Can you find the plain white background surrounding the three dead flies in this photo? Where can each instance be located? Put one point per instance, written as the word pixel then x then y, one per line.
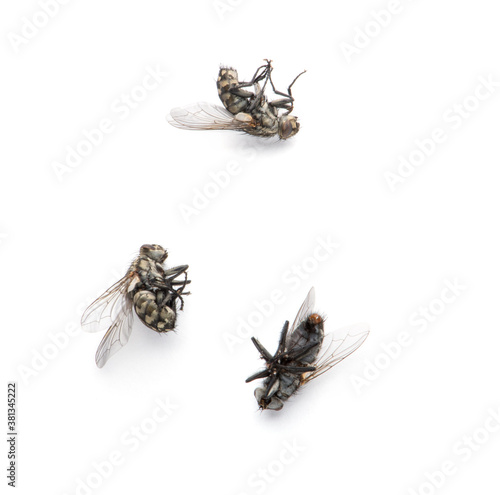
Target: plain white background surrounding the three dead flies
pixel 63 242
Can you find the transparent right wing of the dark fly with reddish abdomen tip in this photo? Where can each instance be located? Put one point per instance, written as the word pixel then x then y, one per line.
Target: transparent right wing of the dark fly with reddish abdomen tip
pixel 337 347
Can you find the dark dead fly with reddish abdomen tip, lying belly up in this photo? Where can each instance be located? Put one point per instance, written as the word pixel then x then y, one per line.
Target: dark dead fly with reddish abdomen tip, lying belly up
pixel 298 360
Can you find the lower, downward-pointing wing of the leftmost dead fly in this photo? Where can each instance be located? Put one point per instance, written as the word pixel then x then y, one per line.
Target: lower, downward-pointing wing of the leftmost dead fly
pixel 117 335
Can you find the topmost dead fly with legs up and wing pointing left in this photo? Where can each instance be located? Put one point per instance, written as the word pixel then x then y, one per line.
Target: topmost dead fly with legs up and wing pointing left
pixel 244 110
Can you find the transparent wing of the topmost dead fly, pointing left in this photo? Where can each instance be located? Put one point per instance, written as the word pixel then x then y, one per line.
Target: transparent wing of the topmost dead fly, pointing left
pixel 205 116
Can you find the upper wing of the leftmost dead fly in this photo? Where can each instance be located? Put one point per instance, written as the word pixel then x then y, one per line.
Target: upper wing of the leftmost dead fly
pixel 106 308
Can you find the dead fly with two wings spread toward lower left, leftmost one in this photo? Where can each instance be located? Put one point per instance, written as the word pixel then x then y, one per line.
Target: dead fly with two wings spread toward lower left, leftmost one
pixel 149 288
